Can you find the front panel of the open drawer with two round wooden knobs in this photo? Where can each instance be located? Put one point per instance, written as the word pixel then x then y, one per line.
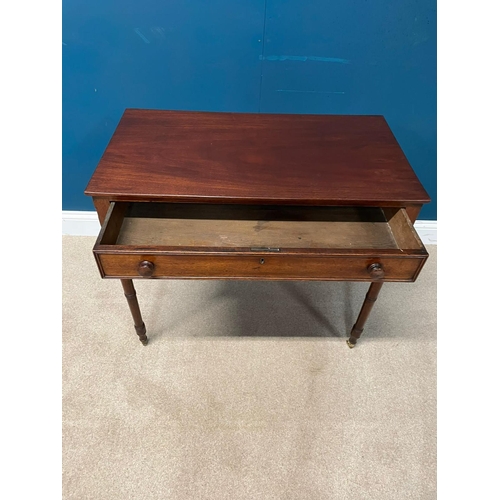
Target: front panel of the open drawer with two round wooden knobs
pixel 261 267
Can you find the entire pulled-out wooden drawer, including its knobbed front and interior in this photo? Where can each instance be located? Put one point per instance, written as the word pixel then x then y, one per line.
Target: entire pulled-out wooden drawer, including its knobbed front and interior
pixel 168 240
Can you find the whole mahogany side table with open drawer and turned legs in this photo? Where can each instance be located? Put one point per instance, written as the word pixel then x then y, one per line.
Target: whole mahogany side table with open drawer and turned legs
pixel 198 195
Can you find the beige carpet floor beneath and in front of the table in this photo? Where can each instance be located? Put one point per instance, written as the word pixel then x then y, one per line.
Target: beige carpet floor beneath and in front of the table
pixel 246 390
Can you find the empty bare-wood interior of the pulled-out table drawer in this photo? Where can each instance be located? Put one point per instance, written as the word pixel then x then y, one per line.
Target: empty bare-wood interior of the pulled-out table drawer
pixel 258 227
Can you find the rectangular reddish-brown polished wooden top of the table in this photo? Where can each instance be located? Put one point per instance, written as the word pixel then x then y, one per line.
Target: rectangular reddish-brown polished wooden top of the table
pixel 255 158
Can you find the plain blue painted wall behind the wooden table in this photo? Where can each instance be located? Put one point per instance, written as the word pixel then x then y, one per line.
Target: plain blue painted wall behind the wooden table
pixel 275 56
